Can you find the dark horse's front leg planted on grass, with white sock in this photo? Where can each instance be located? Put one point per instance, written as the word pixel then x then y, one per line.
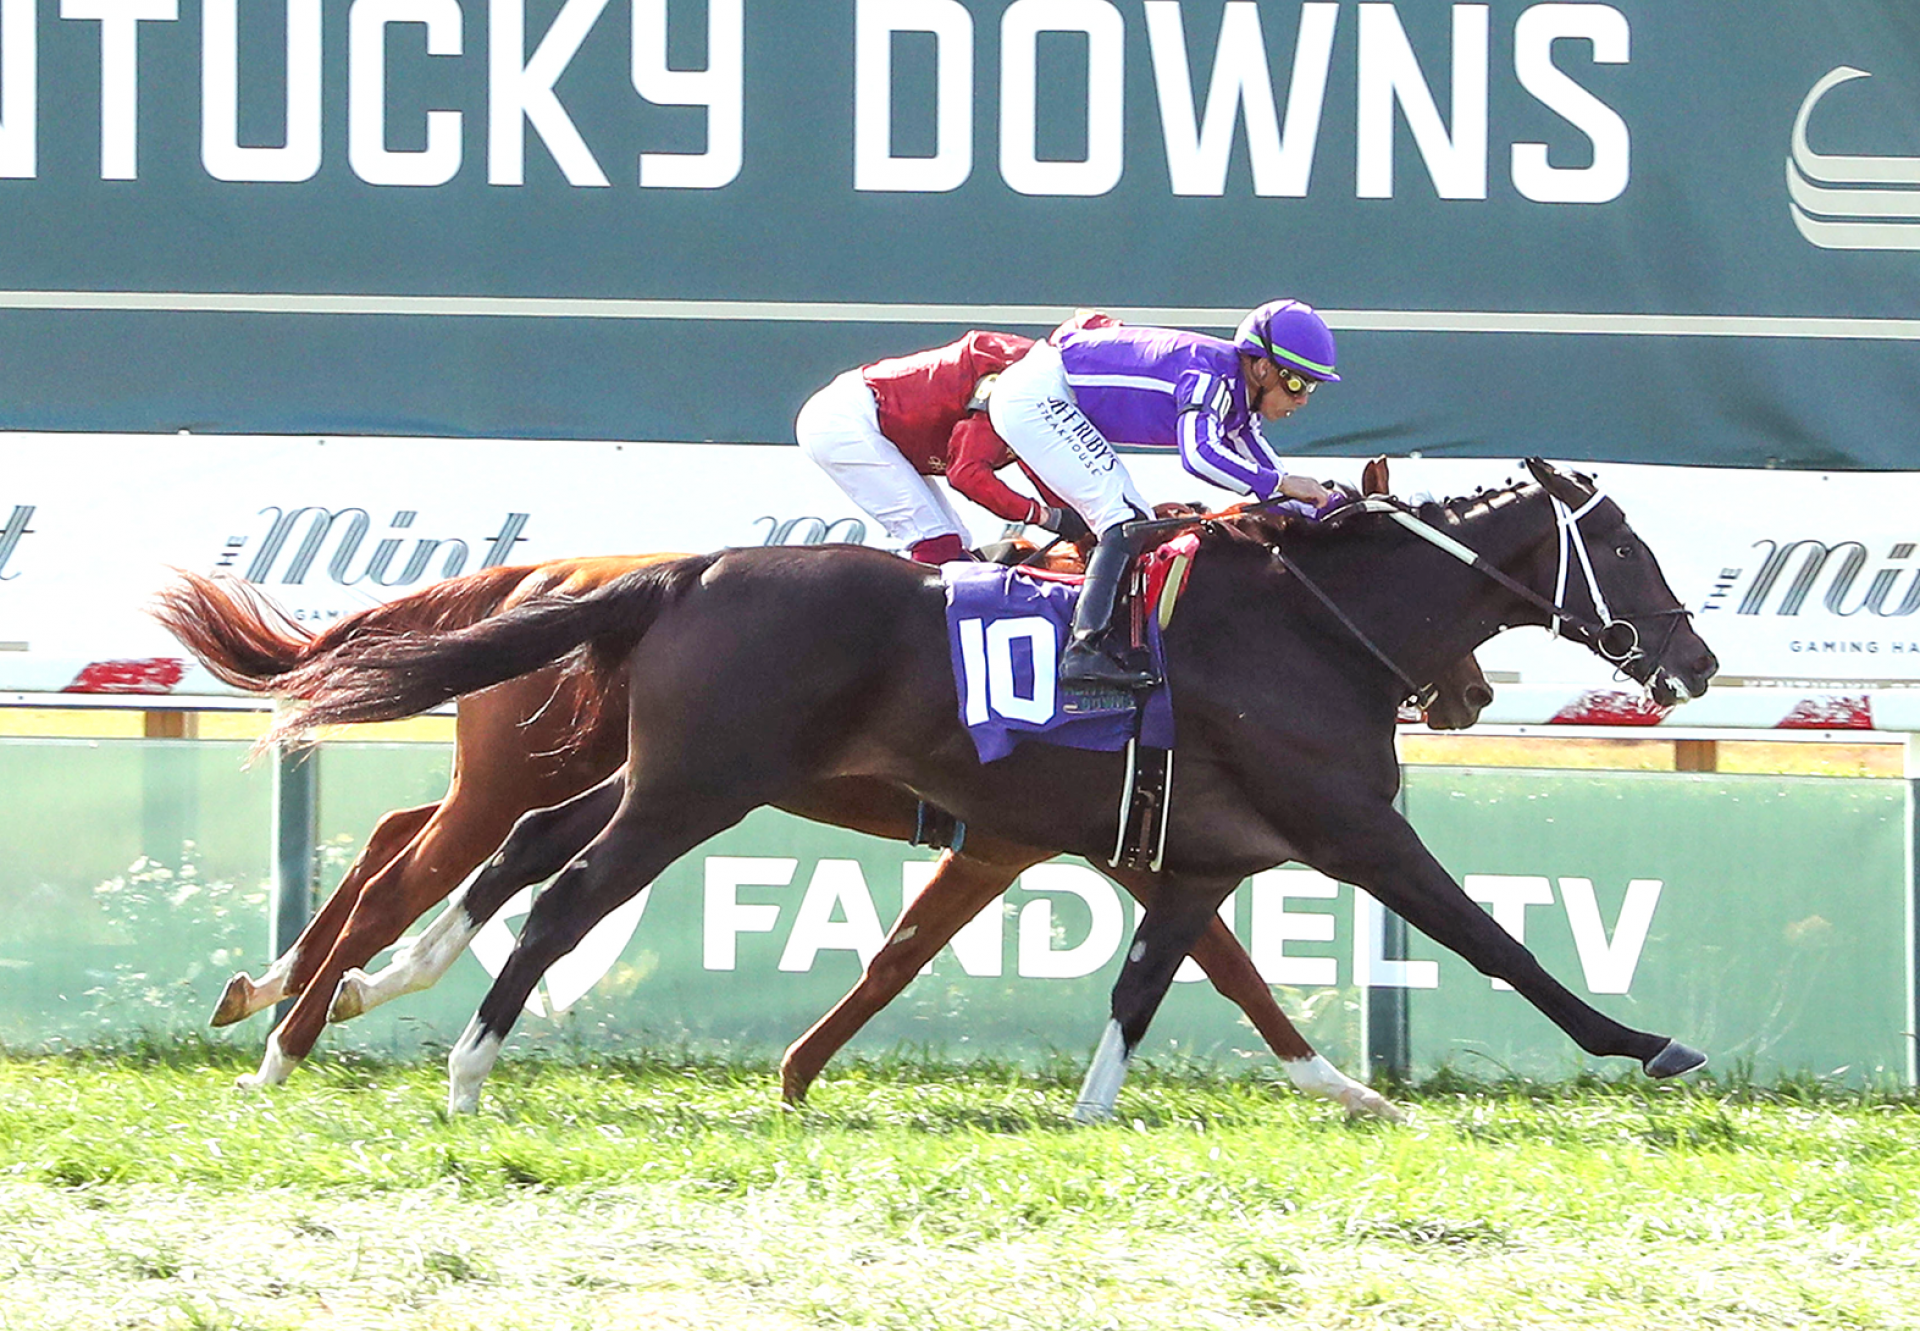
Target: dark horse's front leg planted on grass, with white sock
pixel 1178 915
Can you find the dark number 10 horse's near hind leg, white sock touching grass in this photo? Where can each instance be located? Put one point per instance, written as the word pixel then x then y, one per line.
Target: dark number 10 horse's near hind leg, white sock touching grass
pixel 648 835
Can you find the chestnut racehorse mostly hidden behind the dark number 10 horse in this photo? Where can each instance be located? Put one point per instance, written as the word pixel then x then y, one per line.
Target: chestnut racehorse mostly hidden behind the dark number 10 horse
pixel 546 737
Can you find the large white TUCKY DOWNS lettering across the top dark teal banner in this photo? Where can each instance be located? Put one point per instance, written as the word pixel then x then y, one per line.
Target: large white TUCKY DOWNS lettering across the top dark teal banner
pixel 544 78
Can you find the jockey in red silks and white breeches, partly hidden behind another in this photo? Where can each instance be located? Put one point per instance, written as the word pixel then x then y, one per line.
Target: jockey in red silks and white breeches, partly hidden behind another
pixel 886 429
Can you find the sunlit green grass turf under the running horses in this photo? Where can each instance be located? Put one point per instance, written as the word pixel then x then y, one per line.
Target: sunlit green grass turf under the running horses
pixel 143 1192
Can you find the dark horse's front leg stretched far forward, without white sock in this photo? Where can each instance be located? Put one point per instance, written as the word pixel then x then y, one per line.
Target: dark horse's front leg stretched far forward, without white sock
pixel 1378 852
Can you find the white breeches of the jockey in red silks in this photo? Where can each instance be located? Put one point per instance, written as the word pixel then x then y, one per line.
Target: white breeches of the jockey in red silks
pixel 840 429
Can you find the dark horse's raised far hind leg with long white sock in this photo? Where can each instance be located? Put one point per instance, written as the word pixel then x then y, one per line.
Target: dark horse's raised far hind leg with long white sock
pixel 539 848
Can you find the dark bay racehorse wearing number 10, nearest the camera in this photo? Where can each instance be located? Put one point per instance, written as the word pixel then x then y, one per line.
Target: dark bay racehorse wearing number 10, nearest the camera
pixel 1287 667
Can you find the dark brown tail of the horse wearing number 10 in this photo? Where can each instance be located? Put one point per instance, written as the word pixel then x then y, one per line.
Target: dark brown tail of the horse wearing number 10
pixel 391 675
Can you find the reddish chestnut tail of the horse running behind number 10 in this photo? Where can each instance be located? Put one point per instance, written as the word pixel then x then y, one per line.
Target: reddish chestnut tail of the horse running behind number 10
pixel 249 642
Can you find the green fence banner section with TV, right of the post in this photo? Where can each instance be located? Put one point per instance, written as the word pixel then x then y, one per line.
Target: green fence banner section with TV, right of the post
pixel 1773 915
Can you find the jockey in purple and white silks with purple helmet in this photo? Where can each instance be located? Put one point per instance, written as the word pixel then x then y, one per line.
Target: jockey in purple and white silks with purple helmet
pixel 1063 408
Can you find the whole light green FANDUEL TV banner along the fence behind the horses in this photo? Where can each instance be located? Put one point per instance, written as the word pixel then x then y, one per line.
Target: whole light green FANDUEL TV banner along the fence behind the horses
pixel 1762 919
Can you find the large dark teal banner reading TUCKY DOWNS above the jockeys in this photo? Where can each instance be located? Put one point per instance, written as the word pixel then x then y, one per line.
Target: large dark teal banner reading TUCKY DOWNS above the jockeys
pixel 1637 231
